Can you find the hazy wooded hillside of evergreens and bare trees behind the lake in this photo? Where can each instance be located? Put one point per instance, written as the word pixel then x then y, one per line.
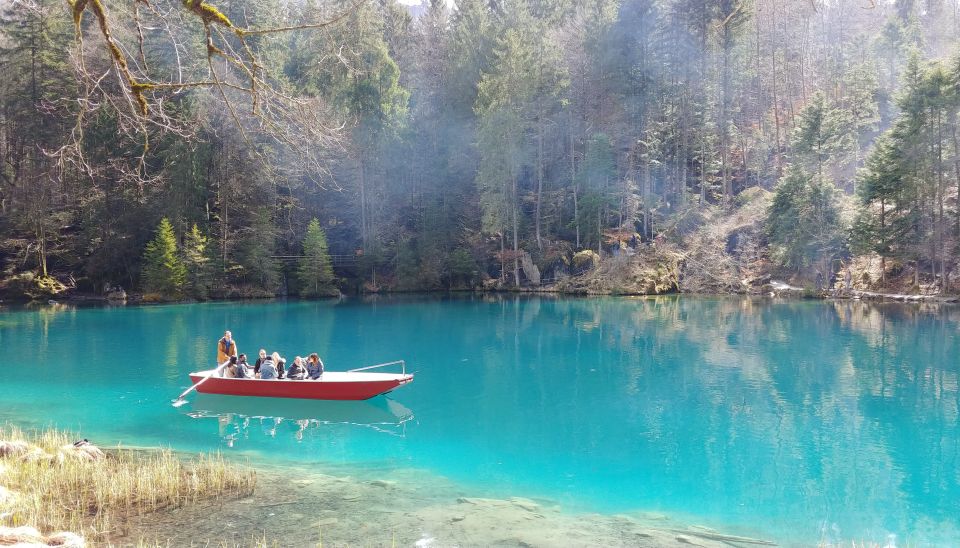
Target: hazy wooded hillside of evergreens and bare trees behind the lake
pixel 227 149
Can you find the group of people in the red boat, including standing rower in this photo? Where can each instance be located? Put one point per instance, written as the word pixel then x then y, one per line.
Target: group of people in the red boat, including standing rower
pixel 268 366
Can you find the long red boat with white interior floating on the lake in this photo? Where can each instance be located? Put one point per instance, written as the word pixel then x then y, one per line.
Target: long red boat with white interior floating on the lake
pixel 356 384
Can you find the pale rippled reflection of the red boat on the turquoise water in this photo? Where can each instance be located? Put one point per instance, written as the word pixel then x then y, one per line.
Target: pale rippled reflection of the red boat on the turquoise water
pixel 237 416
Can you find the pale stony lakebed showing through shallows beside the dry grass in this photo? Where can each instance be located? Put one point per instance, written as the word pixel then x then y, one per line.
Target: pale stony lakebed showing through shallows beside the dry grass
pixel 416 508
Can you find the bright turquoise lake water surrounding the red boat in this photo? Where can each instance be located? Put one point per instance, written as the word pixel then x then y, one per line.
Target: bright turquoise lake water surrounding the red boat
pixel 802 421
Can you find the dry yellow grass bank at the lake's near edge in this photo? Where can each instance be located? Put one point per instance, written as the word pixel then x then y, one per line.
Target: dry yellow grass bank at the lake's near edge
pixel 50 484
